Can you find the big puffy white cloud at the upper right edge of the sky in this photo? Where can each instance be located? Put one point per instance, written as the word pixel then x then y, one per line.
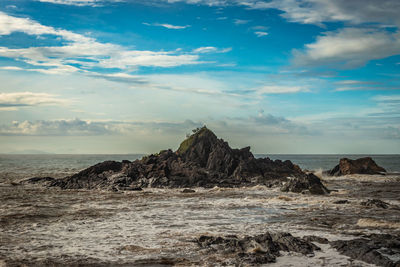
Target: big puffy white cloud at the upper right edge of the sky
pixel 349 47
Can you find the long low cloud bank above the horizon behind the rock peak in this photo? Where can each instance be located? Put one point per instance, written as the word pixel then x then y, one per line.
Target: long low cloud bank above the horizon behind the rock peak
pixel 266 123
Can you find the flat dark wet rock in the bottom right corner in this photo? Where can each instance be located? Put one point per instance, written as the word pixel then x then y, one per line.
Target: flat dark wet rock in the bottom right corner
pixel 378 249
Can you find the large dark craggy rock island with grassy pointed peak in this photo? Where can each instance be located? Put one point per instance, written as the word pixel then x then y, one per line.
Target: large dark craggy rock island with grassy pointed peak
pixel 202 160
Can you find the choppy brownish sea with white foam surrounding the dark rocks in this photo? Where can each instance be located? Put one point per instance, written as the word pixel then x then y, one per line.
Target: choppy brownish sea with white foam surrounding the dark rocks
pixel 42 226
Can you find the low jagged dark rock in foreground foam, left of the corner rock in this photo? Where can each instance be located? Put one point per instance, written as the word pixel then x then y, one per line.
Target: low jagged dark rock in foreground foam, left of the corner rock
pixel 258 249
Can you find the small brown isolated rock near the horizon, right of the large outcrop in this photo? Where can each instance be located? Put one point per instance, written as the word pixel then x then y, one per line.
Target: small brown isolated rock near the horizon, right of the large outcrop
pixel 359 166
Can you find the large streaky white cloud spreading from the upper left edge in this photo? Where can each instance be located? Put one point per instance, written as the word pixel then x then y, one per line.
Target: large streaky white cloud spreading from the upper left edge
pixel 82 50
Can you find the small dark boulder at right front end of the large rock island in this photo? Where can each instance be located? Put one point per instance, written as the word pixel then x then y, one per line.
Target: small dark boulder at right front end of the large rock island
pixel 304 183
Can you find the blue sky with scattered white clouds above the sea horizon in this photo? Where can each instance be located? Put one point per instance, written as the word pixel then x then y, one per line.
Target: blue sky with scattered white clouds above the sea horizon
pixel 135 76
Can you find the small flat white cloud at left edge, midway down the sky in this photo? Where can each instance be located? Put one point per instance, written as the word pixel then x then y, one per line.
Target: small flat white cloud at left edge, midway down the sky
pixel 24 99
